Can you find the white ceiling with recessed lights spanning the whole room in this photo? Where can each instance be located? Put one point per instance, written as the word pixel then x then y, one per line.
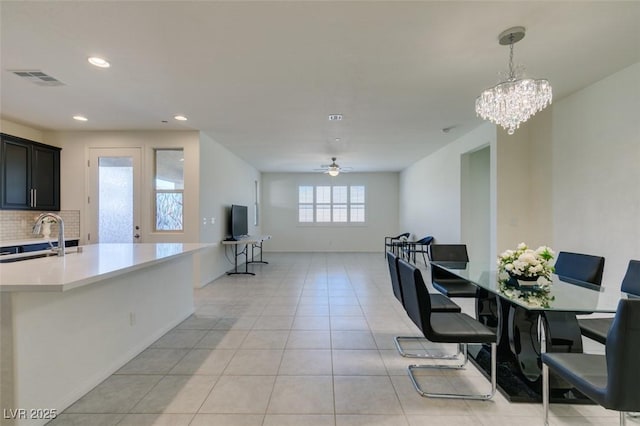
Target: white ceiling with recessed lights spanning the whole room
pixel 262 77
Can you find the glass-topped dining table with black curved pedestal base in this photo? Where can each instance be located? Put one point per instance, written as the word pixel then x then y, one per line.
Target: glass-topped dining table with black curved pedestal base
pixel 529 321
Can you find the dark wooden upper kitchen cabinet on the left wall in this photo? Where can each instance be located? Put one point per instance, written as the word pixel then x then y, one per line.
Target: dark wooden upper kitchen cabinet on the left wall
pixel 29 175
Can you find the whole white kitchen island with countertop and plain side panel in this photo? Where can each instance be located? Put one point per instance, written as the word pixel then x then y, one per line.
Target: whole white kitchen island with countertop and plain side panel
pixel 67 323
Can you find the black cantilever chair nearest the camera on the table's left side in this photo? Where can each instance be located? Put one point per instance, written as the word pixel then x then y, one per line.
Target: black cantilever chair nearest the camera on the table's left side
pixel 443 327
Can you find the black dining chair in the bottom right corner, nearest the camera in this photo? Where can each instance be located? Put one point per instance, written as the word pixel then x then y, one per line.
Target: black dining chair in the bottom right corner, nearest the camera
pixel 610 380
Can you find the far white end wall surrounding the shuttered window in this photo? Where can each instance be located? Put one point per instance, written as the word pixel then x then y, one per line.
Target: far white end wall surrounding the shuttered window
pixel 280 213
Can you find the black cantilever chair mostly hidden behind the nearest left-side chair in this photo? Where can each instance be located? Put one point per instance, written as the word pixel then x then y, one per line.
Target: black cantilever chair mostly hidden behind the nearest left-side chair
pixel 439 303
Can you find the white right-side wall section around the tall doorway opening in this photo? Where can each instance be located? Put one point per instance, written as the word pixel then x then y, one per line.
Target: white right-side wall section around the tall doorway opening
pixel 430 189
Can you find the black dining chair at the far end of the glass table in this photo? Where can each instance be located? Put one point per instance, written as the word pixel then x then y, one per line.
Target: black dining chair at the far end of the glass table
pixel 444 281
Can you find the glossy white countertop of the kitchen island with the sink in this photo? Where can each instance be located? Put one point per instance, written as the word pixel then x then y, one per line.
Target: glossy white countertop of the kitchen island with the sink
pixel 96 262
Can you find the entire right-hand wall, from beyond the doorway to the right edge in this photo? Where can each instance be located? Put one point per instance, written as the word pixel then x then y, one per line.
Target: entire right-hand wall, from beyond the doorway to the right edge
pixel 568 178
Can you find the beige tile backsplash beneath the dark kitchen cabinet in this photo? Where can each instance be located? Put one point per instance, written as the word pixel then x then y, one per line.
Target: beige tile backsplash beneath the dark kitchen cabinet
pixel 17 224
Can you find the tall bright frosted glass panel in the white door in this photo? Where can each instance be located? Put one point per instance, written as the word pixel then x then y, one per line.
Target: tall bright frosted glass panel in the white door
pixel 115 216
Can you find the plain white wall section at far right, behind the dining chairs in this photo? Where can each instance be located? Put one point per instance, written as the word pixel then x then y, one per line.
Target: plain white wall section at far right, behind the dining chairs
pixel 596 171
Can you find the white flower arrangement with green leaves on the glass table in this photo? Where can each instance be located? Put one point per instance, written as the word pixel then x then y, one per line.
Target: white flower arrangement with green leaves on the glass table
pixel 527 263
